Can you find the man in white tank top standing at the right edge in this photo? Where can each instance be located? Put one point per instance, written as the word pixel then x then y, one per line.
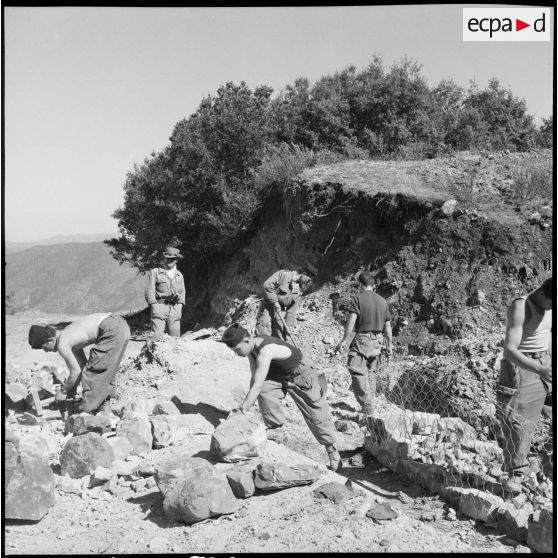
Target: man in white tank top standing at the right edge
pixel 525 382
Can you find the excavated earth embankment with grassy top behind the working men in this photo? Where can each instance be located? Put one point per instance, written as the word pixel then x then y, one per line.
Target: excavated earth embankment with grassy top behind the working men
pixel 448 275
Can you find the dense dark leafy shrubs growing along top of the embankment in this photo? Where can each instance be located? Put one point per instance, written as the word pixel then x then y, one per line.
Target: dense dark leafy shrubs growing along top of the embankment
pixel 203 190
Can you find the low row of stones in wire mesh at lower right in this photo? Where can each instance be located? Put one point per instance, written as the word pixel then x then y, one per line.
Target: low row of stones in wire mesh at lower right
pixel 443 455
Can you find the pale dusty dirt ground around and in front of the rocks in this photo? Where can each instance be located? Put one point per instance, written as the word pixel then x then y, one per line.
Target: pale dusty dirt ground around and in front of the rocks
pixel 209 381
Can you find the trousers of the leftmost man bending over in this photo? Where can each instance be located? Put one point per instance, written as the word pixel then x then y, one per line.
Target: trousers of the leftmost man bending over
pixel 97 378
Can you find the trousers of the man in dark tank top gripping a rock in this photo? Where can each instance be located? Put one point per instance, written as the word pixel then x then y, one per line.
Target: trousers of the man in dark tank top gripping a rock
pixel 308 395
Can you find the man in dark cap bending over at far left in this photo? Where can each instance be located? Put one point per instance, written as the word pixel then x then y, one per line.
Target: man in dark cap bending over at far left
pixel 109 335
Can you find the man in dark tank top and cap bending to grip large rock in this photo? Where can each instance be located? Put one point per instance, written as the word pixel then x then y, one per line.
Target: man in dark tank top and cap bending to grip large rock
pixel 279 368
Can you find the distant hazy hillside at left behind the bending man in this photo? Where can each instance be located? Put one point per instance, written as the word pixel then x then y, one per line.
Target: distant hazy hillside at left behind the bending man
pixel 72 278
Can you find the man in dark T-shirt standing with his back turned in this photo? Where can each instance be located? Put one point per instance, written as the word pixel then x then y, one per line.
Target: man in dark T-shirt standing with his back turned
pixel 370 317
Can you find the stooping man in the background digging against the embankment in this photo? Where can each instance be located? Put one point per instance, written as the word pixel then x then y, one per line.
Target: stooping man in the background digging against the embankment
pixel 282 292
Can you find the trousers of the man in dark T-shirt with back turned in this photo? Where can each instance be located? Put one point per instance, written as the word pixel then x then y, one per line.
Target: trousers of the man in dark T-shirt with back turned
pixel 363 361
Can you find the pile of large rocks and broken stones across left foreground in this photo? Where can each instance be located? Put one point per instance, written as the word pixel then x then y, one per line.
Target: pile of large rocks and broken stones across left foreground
pixel 108 454
